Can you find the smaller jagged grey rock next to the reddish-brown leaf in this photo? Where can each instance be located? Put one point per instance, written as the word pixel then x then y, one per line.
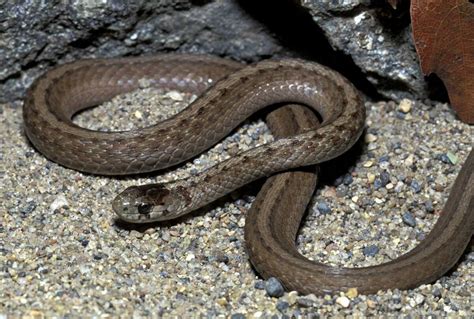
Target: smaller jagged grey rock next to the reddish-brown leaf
pixel 377 38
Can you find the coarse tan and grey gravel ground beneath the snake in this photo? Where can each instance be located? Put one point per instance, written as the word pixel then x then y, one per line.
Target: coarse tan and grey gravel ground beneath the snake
pixel 63 253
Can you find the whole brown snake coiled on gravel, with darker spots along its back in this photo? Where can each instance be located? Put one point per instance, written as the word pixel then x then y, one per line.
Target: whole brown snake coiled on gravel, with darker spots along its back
pixel 230 93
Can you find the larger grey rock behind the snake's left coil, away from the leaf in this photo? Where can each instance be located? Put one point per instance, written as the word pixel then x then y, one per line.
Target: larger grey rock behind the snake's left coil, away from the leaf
pixel 36 35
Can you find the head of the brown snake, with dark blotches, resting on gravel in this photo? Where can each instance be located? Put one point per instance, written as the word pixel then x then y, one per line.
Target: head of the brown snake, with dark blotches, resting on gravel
pixel 149 203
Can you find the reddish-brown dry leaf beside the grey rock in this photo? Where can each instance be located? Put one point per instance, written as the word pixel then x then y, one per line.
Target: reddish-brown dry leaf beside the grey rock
pixel 444 38
